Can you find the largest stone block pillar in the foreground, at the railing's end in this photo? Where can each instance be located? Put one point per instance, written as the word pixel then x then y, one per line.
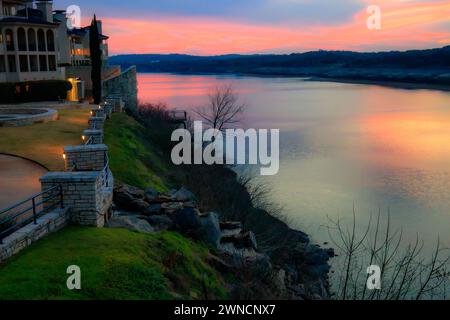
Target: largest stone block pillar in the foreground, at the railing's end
pixel 84 193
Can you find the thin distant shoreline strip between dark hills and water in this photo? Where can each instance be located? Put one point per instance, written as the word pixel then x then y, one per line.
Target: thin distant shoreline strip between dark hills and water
pixel 383 83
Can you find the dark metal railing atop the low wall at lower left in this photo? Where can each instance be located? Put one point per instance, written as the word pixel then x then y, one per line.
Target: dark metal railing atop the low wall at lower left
pixel 29 210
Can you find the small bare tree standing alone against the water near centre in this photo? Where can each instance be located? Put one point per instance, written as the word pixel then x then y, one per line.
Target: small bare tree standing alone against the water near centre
pixel 223 110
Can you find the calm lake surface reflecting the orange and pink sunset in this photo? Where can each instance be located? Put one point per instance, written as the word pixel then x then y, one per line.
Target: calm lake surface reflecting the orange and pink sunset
pixel 342 146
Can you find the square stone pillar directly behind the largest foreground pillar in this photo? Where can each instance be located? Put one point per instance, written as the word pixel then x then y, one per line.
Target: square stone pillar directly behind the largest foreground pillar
pixel 86 157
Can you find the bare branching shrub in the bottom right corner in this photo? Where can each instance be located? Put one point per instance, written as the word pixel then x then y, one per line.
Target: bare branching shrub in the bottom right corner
pixel 406 274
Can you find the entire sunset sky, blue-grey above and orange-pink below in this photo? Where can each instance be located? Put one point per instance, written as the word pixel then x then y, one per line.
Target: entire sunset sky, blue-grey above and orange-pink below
pixel 210 27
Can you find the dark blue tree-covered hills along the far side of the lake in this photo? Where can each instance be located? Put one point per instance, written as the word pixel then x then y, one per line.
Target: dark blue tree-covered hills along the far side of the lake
pixel 429 66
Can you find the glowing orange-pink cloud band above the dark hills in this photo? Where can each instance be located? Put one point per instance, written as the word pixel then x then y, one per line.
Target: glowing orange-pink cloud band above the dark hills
pixel 405 24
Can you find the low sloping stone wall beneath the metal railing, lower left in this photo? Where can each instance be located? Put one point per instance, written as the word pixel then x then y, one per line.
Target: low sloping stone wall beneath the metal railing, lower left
pixel 31 233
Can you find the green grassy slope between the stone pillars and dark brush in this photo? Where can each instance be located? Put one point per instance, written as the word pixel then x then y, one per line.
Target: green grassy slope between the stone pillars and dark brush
pixel 133 157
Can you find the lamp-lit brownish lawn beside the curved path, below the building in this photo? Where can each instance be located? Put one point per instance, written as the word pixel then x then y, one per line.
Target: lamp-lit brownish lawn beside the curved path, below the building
pixel 44 142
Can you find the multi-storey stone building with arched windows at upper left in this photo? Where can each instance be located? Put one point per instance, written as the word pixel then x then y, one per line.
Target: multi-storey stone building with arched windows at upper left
pixel 36 44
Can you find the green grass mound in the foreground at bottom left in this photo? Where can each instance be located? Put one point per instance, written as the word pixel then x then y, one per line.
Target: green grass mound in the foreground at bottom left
pixel 115 264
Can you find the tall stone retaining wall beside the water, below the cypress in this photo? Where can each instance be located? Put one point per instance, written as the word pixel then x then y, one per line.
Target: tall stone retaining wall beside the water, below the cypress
pixel 125 85
